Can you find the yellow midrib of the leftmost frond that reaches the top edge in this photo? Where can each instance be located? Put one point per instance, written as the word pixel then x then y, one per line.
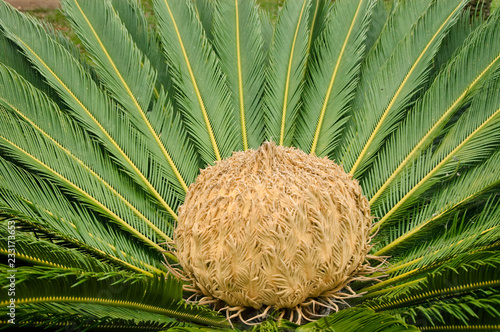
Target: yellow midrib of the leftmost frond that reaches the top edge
pixel 136 104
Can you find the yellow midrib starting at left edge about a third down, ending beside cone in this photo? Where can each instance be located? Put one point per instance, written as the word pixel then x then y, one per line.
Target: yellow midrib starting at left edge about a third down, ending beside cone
pixel 94 174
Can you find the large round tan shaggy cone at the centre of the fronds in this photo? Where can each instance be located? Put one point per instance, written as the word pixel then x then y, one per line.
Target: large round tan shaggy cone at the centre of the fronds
pixel 272 227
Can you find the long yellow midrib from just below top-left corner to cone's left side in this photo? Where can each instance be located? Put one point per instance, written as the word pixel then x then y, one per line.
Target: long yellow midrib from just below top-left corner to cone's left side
pixel 103 130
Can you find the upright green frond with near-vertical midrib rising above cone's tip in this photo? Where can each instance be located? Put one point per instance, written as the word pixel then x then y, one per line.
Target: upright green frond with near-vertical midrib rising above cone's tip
pixel 238 42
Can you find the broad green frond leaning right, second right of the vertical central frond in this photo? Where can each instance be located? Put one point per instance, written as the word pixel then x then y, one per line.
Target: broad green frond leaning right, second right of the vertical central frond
pixel 332 76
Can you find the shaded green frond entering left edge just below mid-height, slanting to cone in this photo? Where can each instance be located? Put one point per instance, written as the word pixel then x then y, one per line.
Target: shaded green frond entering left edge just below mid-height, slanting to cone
pixel 32 201
